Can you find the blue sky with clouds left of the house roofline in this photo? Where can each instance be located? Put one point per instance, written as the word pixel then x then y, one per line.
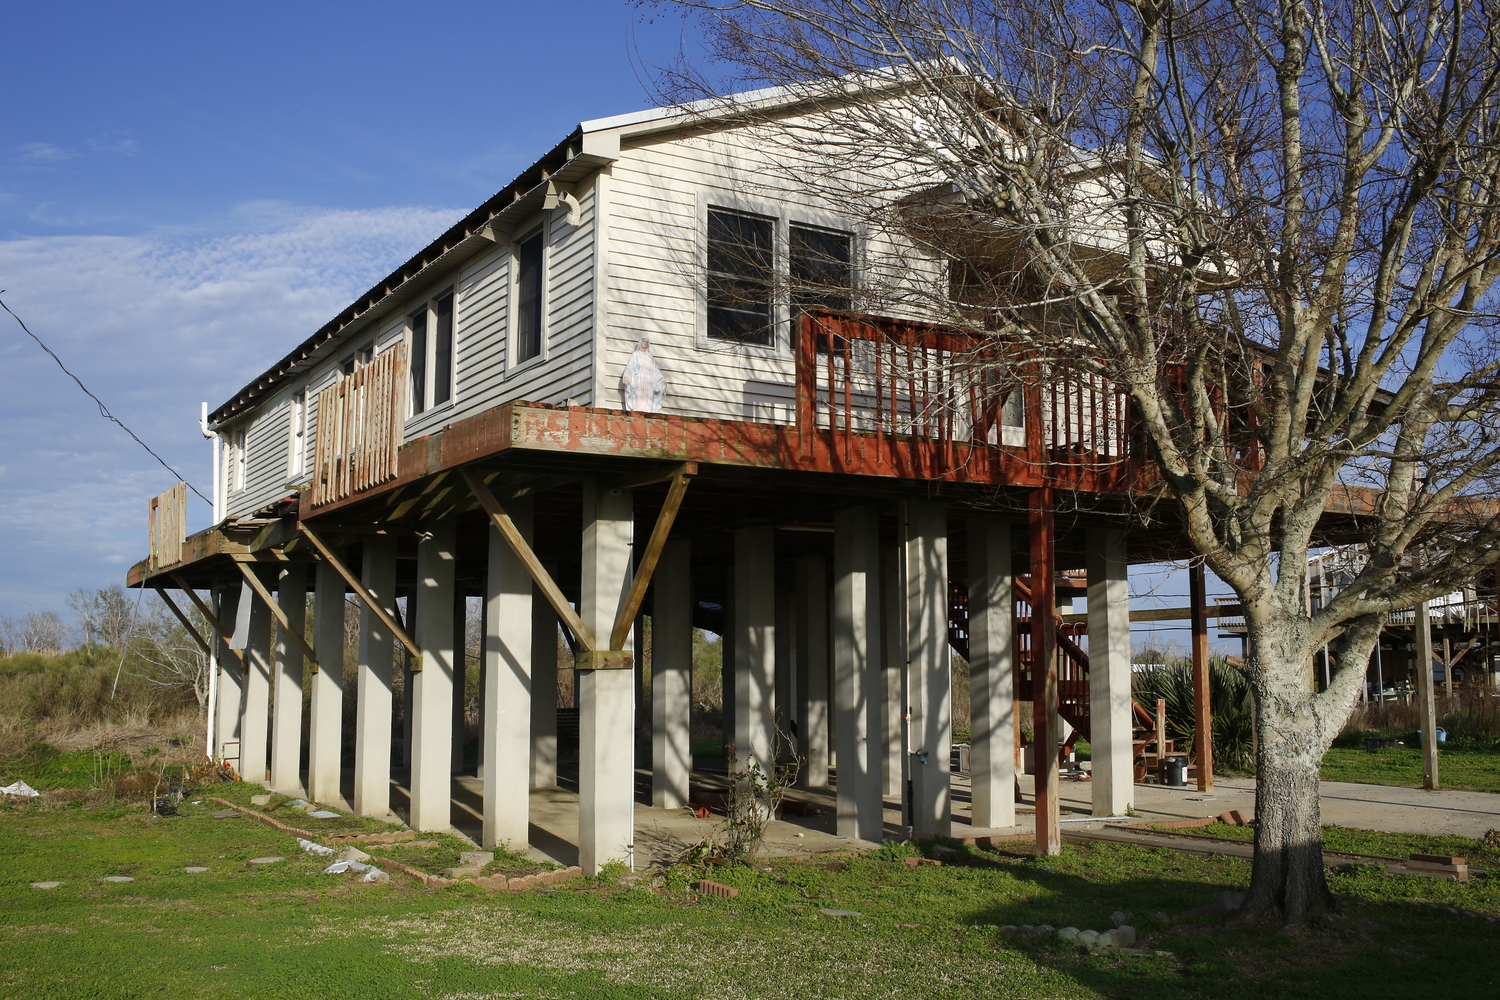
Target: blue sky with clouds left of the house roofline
pixel 187 191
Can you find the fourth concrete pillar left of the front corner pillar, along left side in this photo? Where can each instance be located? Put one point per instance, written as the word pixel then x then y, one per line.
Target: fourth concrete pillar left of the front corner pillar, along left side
pixel 326 705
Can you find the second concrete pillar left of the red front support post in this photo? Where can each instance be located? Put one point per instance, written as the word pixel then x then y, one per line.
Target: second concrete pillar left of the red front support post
pixel 929 672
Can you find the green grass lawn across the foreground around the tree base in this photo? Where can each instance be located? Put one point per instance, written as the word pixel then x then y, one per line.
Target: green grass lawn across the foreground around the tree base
pixel 286 930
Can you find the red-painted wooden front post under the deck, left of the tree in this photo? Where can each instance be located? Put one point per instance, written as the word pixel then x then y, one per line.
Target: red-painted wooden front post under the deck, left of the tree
pixel 1045 671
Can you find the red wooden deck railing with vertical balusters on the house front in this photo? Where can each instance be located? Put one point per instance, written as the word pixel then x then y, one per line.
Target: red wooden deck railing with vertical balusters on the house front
pixel 956 406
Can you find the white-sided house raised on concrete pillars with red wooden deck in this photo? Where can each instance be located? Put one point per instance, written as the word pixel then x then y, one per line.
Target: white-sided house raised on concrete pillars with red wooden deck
pixel 827 490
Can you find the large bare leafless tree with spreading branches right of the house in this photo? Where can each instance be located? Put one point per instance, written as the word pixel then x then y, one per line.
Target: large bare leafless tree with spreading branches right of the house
pixel 1273 224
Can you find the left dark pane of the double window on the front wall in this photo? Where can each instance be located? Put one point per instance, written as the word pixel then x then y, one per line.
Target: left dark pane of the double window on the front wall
pixel 742 263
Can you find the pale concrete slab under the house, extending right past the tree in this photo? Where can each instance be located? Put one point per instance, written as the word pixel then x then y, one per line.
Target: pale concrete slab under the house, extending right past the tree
pixel 667 833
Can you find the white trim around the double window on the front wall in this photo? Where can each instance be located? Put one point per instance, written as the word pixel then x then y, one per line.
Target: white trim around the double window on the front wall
pixel 784 217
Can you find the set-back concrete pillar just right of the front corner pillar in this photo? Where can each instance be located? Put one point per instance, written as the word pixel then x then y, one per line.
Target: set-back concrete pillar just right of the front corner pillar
pixel 673 677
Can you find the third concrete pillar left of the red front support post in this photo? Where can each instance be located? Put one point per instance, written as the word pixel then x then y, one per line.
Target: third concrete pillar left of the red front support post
pixel 857 671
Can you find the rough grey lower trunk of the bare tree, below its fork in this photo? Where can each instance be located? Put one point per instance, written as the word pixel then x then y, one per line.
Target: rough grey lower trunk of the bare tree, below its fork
pixel 1288 882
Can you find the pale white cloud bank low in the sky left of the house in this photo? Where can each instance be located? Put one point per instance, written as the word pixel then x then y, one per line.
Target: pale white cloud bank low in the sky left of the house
pixel 154 325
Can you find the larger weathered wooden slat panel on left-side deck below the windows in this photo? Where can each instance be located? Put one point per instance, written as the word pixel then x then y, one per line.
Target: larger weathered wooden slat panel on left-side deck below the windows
pixel 359 428
